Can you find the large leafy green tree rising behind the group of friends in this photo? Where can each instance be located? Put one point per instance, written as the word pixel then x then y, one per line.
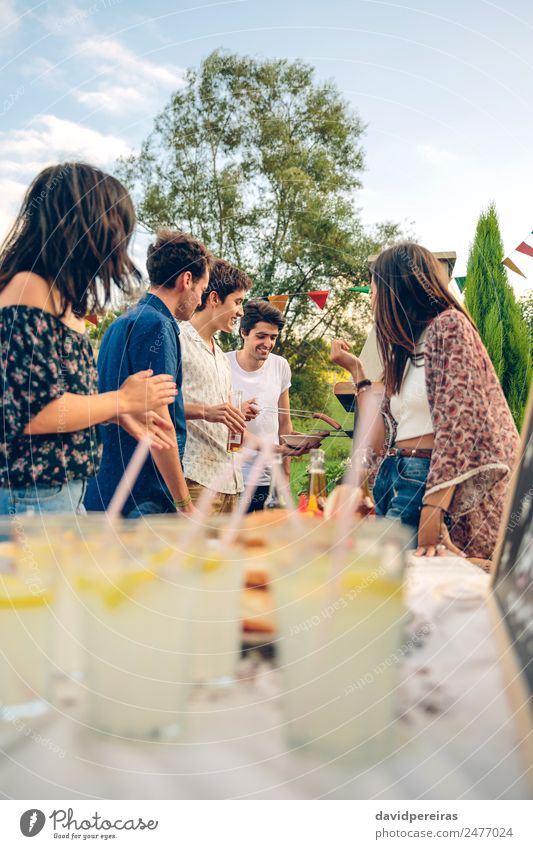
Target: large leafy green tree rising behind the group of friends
pixel 263 164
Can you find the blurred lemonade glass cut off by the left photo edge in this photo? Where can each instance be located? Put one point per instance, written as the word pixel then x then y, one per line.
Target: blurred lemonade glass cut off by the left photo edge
pixel 25 627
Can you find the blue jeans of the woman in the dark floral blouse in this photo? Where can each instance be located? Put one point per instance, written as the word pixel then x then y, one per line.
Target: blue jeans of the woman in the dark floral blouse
pixel 67 498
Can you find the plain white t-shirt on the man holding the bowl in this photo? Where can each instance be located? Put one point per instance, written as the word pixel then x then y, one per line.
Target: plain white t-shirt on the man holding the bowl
pixel 265 384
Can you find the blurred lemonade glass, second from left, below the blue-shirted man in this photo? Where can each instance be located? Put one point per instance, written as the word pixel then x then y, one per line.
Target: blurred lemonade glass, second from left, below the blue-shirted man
pixel 136 636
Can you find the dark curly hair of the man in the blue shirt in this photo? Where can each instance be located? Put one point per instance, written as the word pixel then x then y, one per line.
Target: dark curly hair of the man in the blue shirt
pixel 171 254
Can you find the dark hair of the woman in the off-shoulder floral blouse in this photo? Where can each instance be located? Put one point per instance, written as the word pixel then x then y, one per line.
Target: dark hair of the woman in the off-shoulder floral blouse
pixel 73 229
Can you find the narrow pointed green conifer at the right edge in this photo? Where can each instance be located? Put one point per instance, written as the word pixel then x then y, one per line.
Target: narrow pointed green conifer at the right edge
pixel 493 306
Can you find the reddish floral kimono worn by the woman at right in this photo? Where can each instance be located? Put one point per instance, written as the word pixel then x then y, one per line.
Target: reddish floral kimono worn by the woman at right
pixel 475 439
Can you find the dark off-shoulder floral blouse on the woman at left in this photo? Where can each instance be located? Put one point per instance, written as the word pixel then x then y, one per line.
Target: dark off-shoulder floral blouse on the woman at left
pixel 41 359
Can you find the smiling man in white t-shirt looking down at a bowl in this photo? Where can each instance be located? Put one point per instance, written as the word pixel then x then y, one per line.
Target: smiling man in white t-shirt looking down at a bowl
pixel 266 377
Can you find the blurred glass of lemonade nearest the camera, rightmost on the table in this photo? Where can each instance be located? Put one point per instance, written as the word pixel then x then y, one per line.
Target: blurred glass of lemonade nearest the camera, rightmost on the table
pixel 340 619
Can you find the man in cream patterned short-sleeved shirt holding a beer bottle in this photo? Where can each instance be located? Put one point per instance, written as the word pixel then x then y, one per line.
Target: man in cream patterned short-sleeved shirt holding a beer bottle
pixel 207 387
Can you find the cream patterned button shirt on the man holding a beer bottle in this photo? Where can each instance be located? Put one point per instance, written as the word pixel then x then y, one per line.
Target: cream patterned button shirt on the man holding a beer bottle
pixel 207 380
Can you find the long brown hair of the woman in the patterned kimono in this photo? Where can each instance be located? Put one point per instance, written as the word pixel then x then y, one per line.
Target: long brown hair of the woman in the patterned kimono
pixel 411 289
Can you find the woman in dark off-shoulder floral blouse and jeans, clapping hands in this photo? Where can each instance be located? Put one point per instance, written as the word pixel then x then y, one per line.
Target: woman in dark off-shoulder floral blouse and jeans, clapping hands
pixel 65 254
